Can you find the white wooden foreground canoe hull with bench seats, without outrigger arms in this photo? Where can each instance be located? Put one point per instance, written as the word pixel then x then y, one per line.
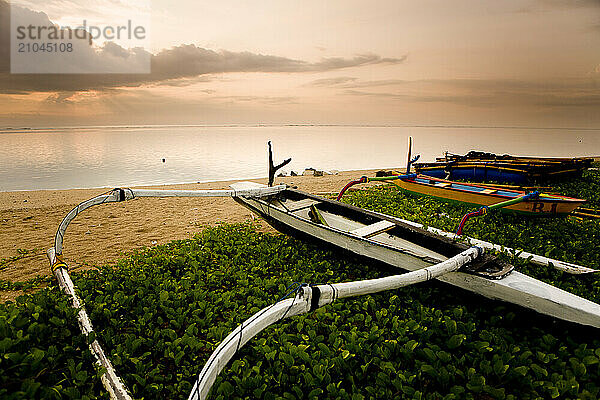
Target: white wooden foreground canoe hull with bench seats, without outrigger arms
pixel 400 244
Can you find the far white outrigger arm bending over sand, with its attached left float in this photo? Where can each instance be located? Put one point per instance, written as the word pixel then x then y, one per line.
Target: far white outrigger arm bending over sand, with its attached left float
pixel 110 379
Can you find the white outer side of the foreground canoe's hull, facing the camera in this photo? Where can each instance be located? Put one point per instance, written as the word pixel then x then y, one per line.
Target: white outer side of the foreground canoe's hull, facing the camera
pixel 516 288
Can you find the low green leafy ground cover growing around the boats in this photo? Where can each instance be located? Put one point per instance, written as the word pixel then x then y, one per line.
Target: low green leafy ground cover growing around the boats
pixel 161 312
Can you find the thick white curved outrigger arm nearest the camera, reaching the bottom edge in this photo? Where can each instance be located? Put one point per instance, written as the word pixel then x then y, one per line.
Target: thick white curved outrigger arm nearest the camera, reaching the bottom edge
pixel 309 298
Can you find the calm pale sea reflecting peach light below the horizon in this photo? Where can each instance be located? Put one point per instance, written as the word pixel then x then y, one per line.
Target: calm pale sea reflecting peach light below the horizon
pixel 90 157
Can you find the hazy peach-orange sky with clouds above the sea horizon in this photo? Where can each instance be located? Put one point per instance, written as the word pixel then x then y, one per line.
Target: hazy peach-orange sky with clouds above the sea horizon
pixel 529 63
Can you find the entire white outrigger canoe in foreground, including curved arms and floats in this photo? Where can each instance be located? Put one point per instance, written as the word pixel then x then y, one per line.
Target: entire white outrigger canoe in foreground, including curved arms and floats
pixel 427 253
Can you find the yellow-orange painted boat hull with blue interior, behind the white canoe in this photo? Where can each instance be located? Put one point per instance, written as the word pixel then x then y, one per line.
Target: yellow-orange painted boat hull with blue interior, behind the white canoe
pixel 542 205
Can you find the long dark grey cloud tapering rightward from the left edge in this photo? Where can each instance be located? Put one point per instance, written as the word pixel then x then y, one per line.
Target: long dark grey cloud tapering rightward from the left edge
pixel 175 66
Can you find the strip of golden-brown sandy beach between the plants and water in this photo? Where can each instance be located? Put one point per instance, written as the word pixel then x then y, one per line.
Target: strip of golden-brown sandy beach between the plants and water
pixel 103 234
